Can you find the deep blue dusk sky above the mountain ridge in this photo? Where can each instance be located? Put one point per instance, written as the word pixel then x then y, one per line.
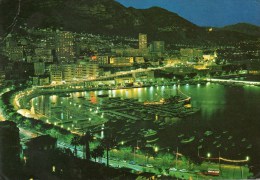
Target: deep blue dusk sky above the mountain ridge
pixel 206 12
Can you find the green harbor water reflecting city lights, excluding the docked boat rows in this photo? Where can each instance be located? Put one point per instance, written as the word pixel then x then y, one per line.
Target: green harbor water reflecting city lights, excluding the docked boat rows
pixel 227 123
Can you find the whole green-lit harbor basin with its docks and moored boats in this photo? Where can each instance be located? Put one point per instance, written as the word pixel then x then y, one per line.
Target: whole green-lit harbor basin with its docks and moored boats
pixel 203 126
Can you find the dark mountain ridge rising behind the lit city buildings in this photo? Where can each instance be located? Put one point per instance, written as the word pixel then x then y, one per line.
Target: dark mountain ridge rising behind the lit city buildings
pixel 111 18
